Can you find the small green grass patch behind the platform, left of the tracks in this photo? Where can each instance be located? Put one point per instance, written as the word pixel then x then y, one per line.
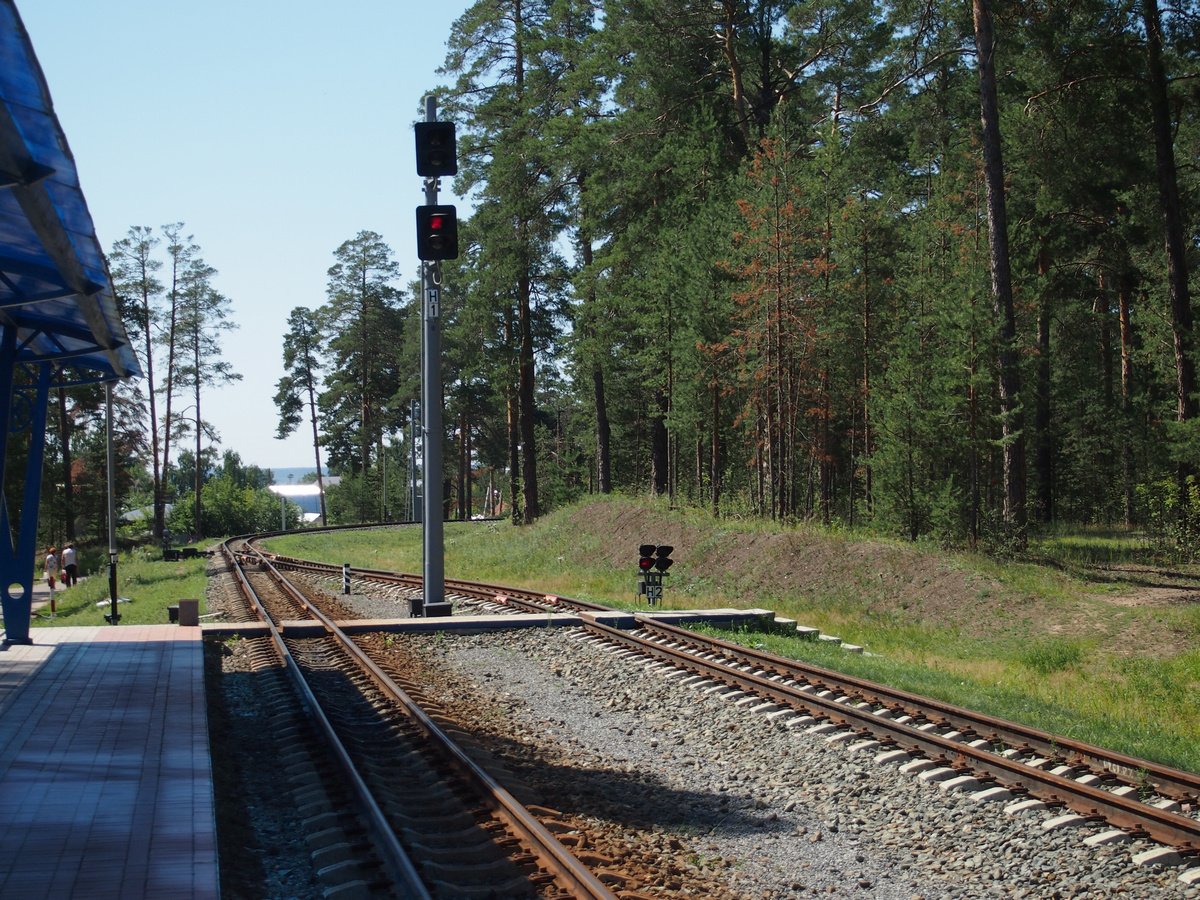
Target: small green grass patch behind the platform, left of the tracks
pixel 142 578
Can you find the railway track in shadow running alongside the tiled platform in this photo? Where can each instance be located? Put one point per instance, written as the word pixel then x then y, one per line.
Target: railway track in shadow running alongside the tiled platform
pixel 439 826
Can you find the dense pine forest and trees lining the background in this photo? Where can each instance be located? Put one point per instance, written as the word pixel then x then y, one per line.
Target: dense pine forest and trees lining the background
pixel 919 267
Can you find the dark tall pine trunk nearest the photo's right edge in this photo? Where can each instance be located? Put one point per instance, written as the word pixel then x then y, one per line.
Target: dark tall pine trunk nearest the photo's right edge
pixel 1173 230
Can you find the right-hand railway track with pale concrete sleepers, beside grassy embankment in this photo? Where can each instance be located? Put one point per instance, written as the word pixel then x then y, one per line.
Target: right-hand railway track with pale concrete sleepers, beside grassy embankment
pixel 985 757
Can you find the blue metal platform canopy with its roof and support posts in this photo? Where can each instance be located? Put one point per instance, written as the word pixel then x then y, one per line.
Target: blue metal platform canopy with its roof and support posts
pixel 58 311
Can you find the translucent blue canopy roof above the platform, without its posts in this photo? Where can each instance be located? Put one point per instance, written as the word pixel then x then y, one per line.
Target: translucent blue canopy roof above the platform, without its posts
pixel 55 285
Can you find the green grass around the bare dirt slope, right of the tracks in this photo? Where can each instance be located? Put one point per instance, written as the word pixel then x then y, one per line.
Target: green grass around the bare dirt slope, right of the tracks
pixel 1102 689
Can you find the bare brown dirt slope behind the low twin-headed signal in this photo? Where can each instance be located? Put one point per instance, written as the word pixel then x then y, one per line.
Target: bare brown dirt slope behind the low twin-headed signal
pixel 806 568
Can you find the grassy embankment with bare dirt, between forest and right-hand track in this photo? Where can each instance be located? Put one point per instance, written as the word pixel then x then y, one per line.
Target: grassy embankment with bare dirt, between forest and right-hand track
pixel 1090 643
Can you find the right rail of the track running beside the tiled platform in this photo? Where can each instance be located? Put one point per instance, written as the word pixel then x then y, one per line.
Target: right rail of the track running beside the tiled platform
pixel 571 873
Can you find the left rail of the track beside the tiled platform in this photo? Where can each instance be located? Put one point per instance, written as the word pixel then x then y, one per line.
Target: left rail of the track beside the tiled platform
pixel 397 860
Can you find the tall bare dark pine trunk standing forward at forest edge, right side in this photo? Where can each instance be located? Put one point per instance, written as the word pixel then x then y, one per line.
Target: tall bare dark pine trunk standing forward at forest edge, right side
pixel 1012 417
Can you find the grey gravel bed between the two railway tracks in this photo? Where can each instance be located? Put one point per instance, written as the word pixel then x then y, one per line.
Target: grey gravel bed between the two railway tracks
pixel 788 813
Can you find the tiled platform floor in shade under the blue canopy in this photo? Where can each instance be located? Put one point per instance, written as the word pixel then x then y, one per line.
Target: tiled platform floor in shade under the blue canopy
pixel 106 783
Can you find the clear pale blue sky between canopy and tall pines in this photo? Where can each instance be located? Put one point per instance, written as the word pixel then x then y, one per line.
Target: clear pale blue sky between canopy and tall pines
pixel 274 130
